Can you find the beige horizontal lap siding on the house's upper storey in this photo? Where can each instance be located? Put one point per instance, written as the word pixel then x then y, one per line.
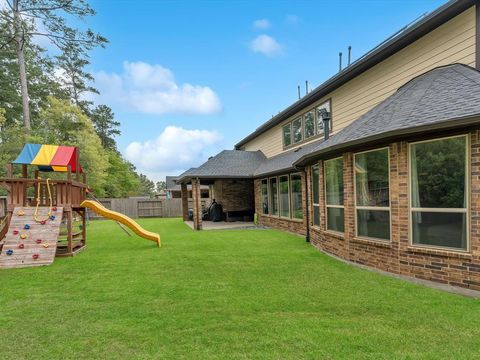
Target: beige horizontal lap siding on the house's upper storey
pixel 453 42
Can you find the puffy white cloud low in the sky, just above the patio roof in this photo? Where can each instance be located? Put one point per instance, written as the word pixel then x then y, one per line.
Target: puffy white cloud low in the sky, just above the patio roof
pixel 175 150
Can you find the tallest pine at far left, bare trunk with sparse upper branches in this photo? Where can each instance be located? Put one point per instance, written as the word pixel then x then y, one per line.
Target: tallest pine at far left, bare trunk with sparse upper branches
pixel 24 19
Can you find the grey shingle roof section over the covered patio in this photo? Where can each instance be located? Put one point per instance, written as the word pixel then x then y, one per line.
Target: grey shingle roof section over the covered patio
pixel 227 164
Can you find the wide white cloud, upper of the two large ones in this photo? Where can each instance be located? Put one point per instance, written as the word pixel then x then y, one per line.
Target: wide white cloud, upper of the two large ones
pixel 152 89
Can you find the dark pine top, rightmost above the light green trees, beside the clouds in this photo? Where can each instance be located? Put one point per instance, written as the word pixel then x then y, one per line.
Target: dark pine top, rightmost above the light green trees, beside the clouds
pixel 106 126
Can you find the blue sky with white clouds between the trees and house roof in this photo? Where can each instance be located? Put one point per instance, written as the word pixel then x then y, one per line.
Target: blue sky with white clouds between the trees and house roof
pixel 189 78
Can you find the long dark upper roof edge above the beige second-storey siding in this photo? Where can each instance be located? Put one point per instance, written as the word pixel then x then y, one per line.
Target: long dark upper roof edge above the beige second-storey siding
pixel 389 47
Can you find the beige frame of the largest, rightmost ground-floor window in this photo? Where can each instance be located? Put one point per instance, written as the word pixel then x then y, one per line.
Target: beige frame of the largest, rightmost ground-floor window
pixel 466 210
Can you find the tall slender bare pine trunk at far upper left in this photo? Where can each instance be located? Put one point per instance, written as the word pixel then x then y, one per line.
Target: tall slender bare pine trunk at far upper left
pixel 19 41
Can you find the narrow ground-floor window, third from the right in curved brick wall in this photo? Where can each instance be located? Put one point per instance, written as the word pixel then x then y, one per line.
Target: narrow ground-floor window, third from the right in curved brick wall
pixel 334 194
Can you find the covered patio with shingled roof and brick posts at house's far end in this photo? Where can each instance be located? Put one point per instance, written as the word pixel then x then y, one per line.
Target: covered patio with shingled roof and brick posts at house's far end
pixel 229 176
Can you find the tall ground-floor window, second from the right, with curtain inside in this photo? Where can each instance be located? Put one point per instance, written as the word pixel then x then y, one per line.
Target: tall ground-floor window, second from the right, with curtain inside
pixel 372 199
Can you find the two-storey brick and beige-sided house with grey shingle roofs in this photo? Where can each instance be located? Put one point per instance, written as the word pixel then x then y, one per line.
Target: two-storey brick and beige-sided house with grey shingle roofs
pixel 380 164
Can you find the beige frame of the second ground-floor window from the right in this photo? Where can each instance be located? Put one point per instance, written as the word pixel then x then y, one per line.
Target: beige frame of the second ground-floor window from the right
pixel 373 208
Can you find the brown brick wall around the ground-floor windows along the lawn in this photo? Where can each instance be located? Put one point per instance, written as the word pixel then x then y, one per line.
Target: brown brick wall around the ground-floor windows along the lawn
pixel 397 256
